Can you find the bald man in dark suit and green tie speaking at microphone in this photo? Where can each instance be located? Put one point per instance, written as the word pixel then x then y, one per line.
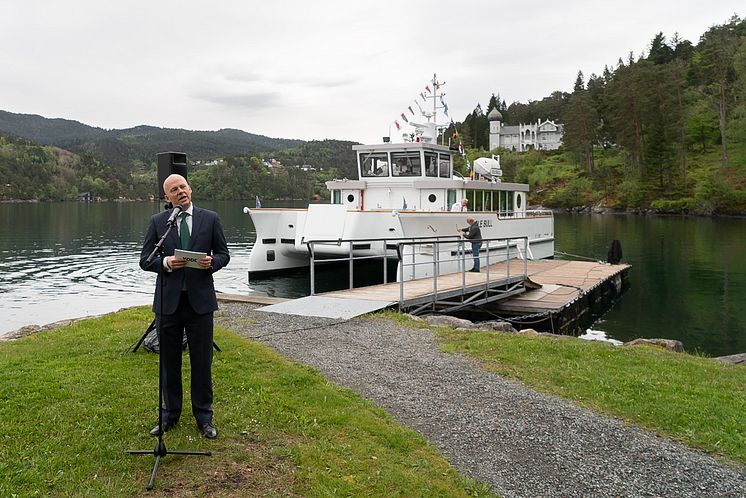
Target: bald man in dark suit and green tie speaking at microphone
pixel 188 301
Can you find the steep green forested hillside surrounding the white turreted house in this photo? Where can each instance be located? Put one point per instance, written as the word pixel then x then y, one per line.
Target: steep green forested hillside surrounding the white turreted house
pixel 665 130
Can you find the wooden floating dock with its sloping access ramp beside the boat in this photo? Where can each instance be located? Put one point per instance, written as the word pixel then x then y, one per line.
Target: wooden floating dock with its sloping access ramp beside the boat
pixel 558 292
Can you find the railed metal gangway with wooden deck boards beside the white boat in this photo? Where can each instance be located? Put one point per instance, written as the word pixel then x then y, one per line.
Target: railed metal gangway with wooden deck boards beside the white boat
pixel 431 272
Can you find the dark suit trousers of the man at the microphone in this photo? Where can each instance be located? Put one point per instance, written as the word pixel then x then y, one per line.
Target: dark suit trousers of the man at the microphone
pixel 199 332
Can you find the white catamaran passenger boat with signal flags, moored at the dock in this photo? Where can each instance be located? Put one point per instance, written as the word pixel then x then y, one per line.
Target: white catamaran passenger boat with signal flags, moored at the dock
pixel 404 192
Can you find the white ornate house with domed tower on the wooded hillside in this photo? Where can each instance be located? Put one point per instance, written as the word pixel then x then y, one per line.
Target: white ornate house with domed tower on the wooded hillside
pixel 546 135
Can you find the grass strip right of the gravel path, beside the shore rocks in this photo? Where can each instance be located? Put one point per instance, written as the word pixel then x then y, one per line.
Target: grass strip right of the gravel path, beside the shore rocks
pixel 695 400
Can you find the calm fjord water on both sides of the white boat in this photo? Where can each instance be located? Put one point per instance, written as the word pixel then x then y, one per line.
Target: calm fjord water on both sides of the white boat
pixel 67 260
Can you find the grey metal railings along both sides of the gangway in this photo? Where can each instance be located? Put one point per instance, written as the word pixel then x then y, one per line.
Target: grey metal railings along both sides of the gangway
pixel 411 256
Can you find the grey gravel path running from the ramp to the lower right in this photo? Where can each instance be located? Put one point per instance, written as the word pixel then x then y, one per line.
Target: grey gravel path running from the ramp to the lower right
pixel 498 431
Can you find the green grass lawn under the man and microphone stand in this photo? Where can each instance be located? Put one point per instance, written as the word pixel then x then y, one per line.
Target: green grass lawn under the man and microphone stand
pixel 72 400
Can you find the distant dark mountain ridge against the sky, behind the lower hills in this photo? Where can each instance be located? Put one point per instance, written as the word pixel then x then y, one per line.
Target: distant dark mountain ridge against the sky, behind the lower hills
pixel 118 147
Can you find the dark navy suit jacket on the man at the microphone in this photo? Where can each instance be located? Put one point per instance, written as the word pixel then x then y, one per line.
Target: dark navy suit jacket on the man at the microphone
pixel 207 237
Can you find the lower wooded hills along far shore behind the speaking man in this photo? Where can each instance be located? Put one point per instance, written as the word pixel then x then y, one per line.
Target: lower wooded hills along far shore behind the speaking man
pixel 31 171
